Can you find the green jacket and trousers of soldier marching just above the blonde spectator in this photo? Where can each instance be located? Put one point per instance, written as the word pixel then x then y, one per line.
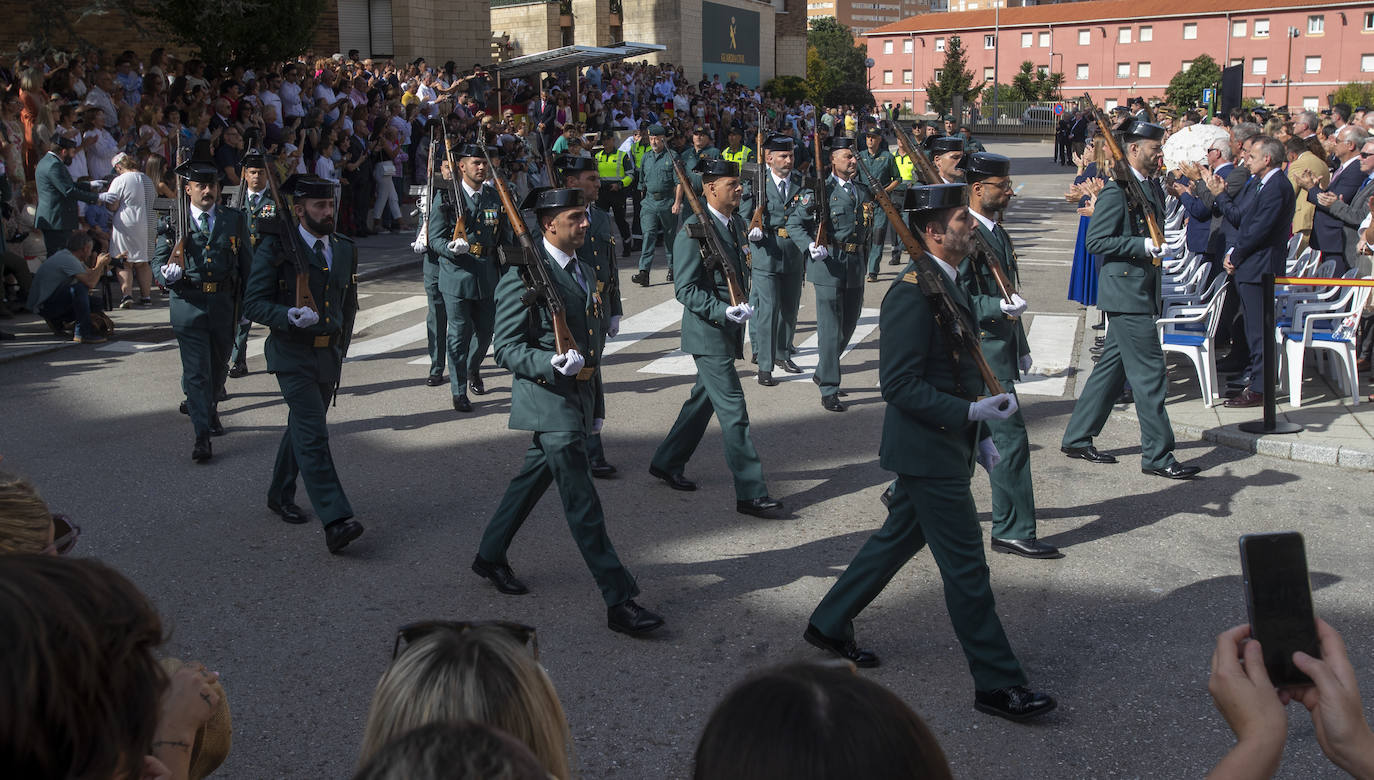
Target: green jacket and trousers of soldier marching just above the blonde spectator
pixel 560 411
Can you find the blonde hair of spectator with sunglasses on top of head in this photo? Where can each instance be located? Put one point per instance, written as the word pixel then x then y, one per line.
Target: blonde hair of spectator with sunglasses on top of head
pixel 482 675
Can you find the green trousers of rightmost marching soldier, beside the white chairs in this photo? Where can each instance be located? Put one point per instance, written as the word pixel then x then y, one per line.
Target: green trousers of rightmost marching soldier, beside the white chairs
pixel 1133 352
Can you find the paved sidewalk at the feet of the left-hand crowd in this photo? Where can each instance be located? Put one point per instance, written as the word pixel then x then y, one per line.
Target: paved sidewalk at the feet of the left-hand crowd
pixel 379 256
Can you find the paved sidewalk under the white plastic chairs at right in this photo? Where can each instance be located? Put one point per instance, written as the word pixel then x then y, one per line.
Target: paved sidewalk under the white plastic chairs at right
pixel 1335 432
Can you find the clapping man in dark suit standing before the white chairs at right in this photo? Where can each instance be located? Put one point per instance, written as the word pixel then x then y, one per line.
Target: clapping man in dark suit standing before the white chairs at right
pixel 1263 216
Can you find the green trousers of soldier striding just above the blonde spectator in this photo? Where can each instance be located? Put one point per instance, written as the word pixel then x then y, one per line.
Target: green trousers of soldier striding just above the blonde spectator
pixel 561 457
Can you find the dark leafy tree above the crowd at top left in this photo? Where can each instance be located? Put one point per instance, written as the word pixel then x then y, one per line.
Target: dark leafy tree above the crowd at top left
pixel 238 32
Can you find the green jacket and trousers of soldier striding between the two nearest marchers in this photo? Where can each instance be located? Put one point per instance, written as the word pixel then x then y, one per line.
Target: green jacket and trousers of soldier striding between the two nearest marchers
pixel 715 344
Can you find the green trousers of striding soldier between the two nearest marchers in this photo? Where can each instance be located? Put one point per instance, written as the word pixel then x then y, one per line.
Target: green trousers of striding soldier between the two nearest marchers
pixel 717 392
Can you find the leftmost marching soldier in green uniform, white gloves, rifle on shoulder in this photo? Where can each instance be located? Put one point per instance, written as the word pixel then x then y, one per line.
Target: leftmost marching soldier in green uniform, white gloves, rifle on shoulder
pixel 204 281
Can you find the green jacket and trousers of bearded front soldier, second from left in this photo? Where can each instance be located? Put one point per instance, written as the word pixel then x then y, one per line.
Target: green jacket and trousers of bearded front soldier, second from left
pixel 307 362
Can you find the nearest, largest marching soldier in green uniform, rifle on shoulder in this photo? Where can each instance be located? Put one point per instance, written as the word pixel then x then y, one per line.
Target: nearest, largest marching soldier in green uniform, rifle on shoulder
pixel 932 436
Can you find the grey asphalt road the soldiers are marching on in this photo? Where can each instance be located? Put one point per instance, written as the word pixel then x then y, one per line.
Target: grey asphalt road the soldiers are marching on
pixel 1120 631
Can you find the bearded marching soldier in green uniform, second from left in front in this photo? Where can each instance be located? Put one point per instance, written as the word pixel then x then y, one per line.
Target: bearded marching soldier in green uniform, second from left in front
pixel 306 349
